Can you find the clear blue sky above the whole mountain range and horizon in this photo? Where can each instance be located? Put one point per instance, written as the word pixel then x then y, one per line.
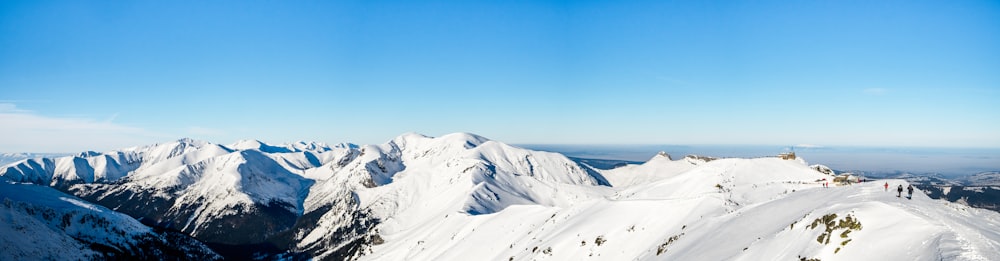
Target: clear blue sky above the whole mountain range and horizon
pixel 78 75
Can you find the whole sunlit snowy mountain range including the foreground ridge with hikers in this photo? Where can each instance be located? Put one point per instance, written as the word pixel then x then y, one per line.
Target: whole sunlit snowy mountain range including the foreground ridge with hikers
pixel 462 196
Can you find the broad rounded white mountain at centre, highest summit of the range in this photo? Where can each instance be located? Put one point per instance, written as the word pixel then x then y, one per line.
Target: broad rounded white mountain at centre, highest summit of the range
pixel 415 180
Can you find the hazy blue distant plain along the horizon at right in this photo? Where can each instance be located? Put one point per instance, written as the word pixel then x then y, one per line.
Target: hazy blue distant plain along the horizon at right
pixel 951 162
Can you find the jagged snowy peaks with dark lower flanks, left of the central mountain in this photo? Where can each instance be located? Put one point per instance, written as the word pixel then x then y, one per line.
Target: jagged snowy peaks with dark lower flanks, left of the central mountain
pixel 231 195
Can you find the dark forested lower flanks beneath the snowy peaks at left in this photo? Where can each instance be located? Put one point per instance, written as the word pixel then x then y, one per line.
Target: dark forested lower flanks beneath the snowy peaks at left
pixel 257 231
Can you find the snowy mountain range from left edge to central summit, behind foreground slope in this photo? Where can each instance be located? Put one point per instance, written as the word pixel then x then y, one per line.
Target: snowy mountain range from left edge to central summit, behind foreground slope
pixel 312 199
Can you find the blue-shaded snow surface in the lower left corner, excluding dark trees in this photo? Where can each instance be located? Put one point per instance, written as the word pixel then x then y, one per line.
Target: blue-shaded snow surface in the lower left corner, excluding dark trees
pixel 41 223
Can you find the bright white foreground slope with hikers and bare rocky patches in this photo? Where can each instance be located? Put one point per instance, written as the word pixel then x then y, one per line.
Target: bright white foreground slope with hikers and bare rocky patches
pixel 726 209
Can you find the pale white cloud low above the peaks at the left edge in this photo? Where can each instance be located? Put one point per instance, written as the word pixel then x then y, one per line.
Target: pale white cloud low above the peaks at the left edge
pixel 27 131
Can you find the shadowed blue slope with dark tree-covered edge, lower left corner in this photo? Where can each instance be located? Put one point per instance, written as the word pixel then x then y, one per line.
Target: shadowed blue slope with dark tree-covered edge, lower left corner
pixel 40 223
